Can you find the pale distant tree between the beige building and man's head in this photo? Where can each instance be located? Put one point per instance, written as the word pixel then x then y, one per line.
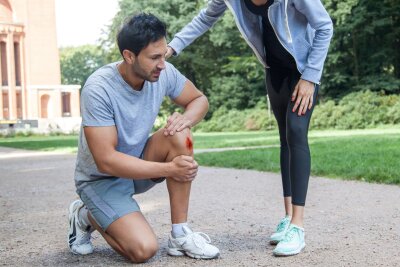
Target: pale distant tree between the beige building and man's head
pixel 78 63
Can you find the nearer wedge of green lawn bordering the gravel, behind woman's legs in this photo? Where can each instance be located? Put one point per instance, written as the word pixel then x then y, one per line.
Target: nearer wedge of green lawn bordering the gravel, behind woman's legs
pixel 372 158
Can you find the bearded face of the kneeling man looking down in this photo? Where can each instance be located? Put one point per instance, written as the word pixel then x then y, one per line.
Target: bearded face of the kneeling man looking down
pixel 150 61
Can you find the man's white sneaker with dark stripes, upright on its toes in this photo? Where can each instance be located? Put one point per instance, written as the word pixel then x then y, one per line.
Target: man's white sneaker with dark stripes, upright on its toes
pixel 78 238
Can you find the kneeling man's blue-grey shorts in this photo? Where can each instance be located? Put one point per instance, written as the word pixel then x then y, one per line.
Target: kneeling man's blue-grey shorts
pixel 111 198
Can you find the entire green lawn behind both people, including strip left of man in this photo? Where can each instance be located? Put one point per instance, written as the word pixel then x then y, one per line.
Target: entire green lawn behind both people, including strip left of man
pixel 369 155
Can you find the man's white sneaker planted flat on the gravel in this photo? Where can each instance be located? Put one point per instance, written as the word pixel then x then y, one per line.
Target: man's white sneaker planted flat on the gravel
pixel 193 244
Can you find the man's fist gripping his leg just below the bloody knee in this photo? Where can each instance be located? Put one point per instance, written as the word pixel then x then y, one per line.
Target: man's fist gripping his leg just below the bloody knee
pixel 184 168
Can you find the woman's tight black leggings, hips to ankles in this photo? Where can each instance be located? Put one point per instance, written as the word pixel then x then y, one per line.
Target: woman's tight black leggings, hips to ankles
pixel 293 129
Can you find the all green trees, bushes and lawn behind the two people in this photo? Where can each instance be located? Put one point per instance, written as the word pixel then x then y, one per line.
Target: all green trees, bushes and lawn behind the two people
pixel 356 123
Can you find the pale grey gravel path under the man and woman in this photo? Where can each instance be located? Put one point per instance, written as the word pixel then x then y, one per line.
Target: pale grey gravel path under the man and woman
pixel 347 223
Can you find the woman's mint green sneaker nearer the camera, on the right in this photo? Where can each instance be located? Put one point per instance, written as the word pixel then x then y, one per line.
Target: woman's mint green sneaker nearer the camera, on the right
pixel 292 243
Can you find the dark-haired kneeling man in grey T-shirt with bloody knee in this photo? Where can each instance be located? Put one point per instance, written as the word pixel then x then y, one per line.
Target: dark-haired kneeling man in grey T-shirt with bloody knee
pixel 117 159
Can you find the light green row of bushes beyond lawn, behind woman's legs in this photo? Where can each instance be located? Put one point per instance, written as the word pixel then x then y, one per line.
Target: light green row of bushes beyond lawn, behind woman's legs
pixel 356 110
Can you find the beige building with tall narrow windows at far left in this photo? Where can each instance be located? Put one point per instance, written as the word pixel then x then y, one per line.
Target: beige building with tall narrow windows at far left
pixel 32 94
